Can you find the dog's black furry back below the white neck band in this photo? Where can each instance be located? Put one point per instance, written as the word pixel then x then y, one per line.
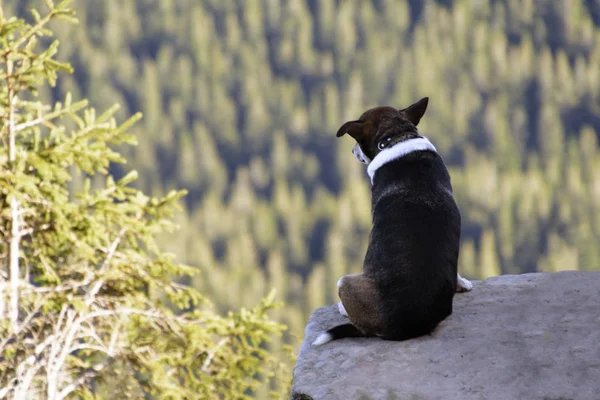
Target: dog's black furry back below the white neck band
pixel 415 238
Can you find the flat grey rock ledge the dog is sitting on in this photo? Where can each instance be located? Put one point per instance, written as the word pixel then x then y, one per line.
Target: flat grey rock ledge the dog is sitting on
pixel 530 336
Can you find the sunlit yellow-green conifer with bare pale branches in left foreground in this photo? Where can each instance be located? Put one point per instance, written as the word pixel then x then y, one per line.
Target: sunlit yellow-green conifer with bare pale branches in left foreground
pixel 90 305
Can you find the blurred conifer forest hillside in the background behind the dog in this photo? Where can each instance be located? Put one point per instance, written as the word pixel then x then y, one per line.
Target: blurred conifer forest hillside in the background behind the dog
pixel 242 99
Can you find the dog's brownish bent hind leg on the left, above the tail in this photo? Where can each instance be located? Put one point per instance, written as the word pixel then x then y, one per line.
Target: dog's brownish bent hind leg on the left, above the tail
pixel 359 300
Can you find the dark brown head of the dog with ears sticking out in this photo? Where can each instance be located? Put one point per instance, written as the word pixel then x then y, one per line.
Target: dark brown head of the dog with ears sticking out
pixel 383 127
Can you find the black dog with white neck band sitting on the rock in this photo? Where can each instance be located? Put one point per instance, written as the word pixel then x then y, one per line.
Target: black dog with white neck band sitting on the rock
pixel 410 270
